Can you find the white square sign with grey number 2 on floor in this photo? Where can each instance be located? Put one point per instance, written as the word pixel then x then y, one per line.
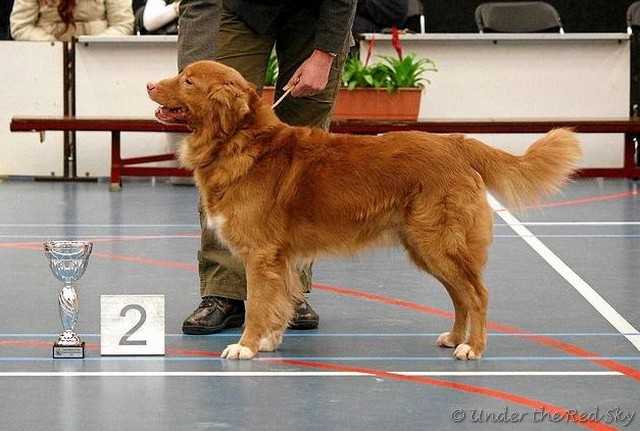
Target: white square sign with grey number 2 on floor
pixel 132 324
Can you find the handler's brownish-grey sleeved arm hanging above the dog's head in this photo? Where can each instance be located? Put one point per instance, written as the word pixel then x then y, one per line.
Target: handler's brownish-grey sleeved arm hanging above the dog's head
pixel 197 28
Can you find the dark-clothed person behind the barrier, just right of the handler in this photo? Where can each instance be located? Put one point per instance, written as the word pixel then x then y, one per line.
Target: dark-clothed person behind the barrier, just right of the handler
pixel 372 16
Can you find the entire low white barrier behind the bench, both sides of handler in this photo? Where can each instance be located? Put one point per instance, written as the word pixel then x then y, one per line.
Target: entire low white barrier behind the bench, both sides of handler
pixel 520 76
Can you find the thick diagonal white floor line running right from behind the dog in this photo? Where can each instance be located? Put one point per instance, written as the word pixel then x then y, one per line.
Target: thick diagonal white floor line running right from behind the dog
pixel 597 301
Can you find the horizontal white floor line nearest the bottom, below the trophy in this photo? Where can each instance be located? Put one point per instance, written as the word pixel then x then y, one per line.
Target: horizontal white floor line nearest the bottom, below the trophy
pixel 301 373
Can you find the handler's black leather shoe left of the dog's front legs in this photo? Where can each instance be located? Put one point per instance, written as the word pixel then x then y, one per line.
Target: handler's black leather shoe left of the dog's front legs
pixel 213 315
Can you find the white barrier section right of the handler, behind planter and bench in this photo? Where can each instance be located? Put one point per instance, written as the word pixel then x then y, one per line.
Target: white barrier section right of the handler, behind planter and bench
pixel 528 76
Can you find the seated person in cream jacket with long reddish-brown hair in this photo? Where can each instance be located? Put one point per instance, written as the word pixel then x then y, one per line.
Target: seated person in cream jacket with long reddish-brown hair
pixel 64 19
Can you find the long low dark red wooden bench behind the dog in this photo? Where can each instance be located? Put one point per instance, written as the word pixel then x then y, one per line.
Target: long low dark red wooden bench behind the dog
pixel 130 166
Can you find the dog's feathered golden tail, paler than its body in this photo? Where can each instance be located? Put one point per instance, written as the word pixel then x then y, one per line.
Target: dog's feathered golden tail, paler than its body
pixel 523 180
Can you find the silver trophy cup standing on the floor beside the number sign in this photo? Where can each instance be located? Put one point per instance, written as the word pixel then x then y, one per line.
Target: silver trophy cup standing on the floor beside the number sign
pixel 68 261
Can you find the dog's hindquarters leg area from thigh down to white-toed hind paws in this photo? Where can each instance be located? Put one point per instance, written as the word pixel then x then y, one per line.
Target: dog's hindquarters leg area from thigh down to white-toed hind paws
pixel 450 241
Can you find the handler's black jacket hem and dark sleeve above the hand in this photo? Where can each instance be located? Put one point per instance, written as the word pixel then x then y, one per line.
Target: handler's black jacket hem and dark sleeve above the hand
pixel 335 18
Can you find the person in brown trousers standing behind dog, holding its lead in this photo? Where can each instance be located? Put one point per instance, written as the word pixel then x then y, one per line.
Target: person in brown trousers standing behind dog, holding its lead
pixel 311 40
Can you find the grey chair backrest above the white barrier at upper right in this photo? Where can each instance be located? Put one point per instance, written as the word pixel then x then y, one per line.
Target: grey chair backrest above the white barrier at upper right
pixel 518 17
